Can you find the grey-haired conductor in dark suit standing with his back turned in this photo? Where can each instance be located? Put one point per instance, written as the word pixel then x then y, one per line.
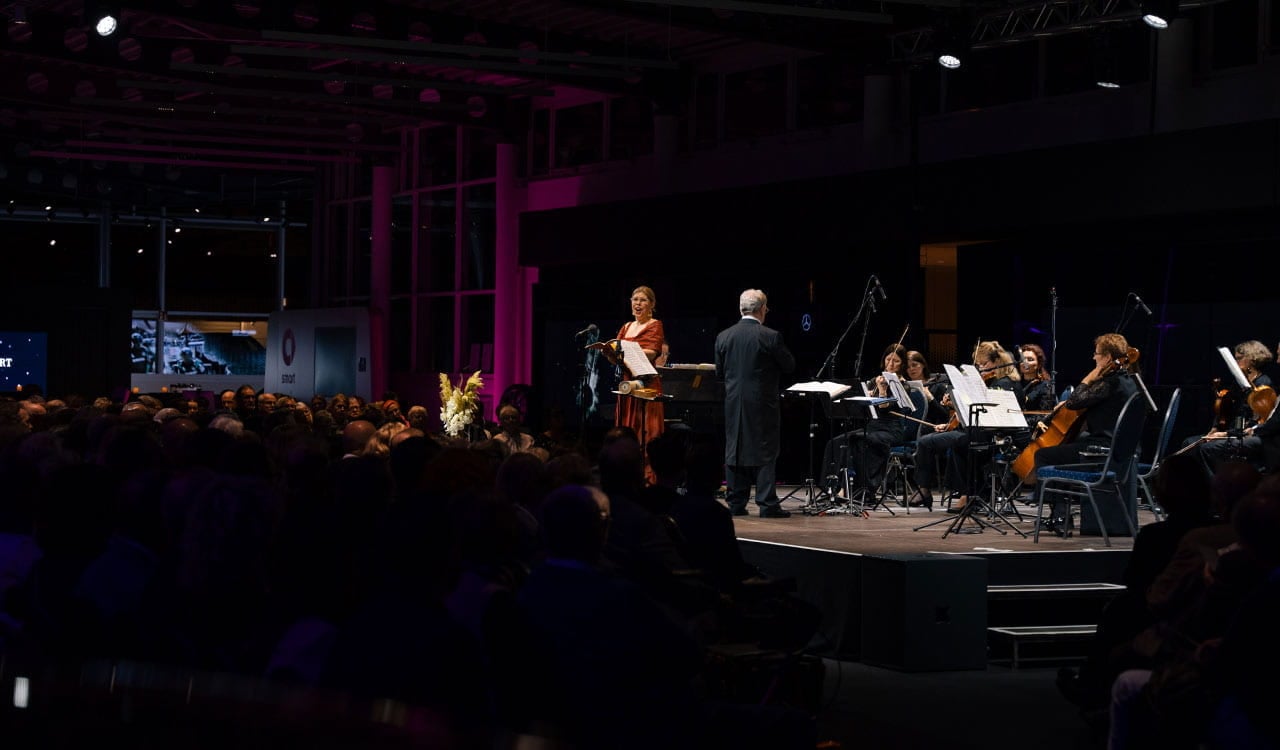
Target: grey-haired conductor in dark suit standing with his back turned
pixel 751 359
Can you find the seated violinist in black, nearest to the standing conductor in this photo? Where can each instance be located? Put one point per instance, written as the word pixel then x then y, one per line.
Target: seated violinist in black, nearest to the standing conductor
pixel 870 447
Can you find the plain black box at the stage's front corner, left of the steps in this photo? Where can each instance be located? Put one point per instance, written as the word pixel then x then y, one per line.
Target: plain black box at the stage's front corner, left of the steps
pixel 925 612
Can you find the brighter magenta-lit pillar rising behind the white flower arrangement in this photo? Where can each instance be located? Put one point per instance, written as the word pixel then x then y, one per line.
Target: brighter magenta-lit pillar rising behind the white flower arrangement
pixel 514 285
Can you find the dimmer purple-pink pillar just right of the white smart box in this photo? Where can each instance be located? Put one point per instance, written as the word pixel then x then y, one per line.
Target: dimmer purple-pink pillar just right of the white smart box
pixel 381 280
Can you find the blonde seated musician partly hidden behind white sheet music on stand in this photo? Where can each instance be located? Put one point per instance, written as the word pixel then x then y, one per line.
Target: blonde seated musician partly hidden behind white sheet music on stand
pixel 949 441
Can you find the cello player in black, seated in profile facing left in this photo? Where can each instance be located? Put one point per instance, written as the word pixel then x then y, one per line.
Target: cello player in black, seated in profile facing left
pixel 1101 395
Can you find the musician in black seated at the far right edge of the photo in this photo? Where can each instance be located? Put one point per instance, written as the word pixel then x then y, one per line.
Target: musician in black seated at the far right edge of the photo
pixel 1252 441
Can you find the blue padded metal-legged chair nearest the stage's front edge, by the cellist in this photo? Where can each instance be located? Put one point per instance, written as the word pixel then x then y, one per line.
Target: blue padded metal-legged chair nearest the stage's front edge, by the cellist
pixel 1116 473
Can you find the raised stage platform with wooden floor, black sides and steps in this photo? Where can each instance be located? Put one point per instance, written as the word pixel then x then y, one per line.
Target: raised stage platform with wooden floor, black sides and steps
pixel 900 596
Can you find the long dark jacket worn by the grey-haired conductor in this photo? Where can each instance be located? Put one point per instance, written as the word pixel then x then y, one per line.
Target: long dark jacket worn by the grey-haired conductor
pixel 751 359
